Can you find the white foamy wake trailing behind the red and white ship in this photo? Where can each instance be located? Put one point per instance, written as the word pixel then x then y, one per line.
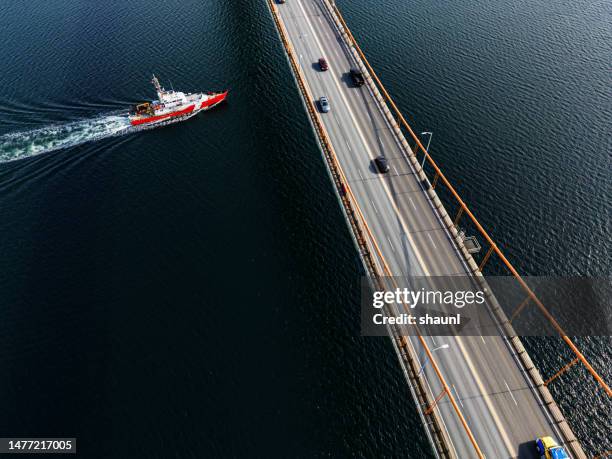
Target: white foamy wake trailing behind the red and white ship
pixel 23 144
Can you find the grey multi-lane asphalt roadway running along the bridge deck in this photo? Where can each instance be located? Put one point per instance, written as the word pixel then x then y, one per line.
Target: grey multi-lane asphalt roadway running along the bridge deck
pixel 496 397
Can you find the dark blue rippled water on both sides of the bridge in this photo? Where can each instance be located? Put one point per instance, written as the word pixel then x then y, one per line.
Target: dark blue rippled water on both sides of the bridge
pixel 191 291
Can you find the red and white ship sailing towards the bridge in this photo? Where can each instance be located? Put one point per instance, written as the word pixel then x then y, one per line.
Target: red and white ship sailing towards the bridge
pixel 172 106
